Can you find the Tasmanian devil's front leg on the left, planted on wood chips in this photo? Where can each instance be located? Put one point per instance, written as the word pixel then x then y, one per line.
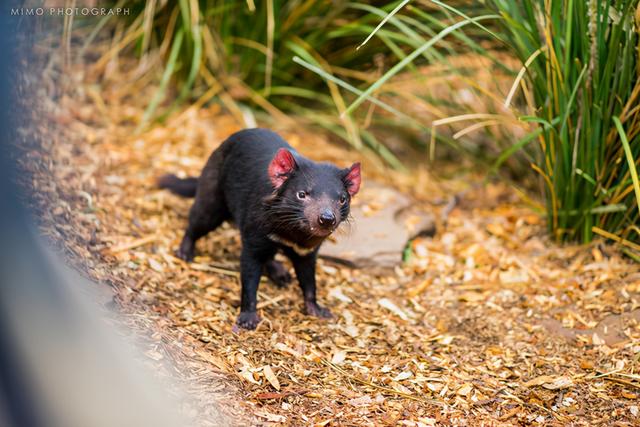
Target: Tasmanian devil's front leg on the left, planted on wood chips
pixel 250 270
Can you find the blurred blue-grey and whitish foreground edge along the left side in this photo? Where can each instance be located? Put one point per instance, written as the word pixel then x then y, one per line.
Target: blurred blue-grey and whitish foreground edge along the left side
pixel 59 364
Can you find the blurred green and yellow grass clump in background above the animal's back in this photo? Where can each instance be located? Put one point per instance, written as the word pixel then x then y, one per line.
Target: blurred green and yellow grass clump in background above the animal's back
pixel 246 49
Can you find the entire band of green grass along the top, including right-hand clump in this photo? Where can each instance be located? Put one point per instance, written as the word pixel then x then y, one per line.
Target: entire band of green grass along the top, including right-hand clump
pixel 331 64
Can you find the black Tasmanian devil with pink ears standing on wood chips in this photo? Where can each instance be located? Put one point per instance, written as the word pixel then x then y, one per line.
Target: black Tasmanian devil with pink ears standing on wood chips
pixel 278 199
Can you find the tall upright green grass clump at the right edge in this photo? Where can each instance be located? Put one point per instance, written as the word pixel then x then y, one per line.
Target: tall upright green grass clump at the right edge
pixel 584 88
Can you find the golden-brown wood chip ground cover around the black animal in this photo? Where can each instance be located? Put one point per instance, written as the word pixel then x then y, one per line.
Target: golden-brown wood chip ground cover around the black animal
pixel 472 330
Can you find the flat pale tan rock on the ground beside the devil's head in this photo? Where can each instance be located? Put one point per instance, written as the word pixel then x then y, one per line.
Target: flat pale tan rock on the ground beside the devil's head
pixel 384 220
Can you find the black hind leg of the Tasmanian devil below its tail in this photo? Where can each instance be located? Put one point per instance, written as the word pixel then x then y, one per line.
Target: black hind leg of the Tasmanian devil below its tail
pixel 209 209
